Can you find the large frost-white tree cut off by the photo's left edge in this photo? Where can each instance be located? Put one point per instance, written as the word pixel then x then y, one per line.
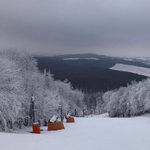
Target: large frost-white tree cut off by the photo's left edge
pixel 11 90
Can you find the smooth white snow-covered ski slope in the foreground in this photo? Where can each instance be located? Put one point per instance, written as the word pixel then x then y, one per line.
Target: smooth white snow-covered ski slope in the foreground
pixel 92 133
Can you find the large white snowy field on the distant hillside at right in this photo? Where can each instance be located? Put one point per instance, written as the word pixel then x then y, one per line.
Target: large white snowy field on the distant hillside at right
pixel 132 69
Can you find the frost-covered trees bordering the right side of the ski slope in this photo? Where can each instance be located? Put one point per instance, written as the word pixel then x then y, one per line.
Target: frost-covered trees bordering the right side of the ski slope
pixel 129 101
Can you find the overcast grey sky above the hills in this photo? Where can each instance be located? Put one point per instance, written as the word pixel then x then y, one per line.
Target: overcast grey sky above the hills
pixel 110 27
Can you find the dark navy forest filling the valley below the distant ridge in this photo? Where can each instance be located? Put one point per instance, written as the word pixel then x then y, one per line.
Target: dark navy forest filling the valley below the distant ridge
pixel 85 76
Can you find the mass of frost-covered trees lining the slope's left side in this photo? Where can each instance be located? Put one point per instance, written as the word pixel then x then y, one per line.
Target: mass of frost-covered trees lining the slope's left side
pixel 20 80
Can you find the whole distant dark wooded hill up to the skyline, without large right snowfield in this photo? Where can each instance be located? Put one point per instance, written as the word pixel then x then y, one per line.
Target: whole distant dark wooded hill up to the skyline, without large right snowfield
pixel 90 72
